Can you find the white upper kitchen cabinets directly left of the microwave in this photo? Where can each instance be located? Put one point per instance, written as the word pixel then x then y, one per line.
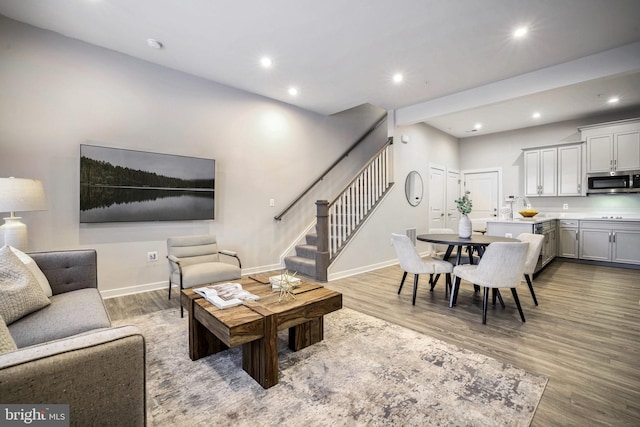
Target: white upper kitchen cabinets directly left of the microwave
pixel 553 171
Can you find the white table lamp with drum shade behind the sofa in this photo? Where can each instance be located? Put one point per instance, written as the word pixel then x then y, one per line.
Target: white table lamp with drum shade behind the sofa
pixel 19 195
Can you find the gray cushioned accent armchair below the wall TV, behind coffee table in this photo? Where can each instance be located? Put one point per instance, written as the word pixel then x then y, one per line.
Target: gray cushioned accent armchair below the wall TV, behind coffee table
pixel 195 261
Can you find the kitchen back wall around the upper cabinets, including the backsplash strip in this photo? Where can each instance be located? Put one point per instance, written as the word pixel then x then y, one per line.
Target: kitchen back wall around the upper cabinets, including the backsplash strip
pixel 505 150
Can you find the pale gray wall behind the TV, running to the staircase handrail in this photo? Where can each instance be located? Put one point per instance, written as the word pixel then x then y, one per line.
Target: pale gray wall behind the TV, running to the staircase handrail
pixel 58 93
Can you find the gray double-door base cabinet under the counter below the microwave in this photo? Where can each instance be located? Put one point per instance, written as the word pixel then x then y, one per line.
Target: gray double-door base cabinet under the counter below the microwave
pixel 610 241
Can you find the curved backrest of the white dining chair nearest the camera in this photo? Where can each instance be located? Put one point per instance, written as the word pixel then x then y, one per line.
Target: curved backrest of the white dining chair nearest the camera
pixel 502 264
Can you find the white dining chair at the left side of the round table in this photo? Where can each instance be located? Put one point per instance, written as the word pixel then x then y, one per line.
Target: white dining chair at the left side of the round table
pixel 411 262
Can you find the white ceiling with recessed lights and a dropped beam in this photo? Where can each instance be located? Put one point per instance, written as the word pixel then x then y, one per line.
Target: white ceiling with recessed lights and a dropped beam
pixel 460 64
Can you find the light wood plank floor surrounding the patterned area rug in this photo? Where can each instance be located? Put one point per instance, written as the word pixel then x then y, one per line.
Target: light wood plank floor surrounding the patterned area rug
pixel 584 335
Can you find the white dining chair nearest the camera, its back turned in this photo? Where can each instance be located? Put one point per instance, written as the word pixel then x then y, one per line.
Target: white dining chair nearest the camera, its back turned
pixel 501 266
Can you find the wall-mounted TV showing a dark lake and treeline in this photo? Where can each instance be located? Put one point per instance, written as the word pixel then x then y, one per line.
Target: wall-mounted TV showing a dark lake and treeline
pixel 119 185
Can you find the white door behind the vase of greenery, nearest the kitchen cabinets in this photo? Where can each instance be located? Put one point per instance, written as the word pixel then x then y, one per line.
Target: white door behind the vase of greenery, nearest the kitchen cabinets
pixel 485 192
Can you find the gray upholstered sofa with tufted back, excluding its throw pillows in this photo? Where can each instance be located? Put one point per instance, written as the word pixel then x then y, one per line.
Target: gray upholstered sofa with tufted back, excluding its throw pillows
pixel 68 352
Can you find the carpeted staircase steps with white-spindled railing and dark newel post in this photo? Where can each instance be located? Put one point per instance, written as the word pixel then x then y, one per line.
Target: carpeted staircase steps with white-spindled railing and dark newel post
pixel 338 221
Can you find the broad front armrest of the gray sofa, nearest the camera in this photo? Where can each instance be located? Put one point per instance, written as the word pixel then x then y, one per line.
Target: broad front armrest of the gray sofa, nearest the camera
pixel 81 371
